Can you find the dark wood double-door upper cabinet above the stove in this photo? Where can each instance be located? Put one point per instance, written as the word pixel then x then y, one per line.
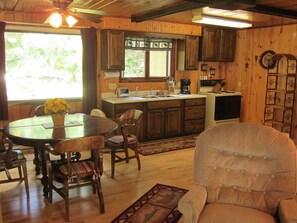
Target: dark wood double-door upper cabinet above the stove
pixel 217 44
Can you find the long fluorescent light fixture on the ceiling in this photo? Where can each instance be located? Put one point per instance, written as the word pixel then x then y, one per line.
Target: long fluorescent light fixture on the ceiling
pixel 218 21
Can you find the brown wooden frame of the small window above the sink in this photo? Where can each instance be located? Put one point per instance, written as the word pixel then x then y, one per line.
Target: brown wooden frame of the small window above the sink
pixel 147 78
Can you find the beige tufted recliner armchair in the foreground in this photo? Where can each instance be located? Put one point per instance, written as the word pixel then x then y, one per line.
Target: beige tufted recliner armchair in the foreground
pixel 243 173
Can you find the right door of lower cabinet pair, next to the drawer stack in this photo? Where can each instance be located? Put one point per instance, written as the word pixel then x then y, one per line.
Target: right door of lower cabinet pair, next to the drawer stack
pixel 173 122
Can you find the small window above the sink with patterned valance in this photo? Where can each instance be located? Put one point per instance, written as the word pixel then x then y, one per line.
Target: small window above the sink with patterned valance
pixel 147 59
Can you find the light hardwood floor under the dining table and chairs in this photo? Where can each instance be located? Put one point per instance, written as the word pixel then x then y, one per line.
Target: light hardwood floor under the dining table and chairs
pixel 171 168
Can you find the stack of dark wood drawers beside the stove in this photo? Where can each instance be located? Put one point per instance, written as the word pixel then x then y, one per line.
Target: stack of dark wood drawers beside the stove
pixel 194 115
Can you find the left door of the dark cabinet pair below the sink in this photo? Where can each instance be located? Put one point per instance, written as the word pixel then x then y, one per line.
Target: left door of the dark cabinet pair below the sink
pixel 155 124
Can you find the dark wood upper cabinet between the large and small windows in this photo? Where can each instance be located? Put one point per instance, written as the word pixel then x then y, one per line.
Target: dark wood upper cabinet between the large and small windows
pixel 112 50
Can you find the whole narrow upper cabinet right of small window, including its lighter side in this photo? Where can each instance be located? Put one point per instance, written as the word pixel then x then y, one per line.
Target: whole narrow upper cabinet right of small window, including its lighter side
pixel 187 51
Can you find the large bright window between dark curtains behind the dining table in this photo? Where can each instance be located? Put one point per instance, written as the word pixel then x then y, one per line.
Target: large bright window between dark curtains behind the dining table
pixel 43 65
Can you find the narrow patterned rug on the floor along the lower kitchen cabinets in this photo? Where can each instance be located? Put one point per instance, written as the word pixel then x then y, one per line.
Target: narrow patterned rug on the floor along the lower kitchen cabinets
pixel 161 146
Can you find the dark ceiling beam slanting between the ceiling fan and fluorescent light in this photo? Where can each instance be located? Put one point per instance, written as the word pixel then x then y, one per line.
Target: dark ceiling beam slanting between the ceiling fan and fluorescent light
pixel 179 7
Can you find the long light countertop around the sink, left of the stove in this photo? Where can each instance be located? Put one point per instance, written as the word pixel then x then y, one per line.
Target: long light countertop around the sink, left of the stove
pixel 142 99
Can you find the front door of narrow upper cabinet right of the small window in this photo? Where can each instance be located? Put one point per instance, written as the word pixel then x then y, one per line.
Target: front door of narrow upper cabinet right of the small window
pixel 191 52
